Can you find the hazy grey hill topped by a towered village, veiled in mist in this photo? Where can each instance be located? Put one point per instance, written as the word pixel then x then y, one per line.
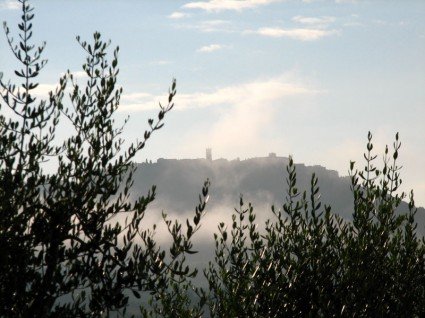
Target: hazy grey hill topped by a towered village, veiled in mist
pixel 261 181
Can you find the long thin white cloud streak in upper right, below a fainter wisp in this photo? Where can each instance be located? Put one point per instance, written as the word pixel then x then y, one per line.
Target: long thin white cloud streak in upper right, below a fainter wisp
pixel 302 34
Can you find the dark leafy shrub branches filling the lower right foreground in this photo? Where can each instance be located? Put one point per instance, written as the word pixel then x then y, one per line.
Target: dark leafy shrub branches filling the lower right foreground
pixel 310 262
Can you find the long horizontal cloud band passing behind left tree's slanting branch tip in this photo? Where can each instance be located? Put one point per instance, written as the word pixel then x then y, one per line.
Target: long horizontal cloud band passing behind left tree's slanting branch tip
pixel 251 93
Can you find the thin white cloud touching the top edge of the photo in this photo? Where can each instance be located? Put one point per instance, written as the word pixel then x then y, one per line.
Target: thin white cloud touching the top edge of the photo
pixel 220 5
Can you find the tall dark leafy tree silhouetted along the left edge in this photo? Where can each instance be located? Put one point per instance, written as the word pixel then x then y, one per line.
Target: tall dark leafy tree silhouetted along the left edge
pixel 62 250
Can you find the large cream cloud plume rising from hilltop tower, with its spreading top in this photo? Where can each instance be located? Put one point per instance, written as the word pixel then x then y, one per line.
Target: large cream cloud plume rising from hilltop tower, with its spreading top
pixel 251 111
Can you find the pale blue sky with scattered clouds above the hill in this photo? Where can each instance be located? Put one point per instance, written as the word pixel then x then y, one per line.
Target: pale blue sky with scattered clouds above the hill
pixel 304 78
